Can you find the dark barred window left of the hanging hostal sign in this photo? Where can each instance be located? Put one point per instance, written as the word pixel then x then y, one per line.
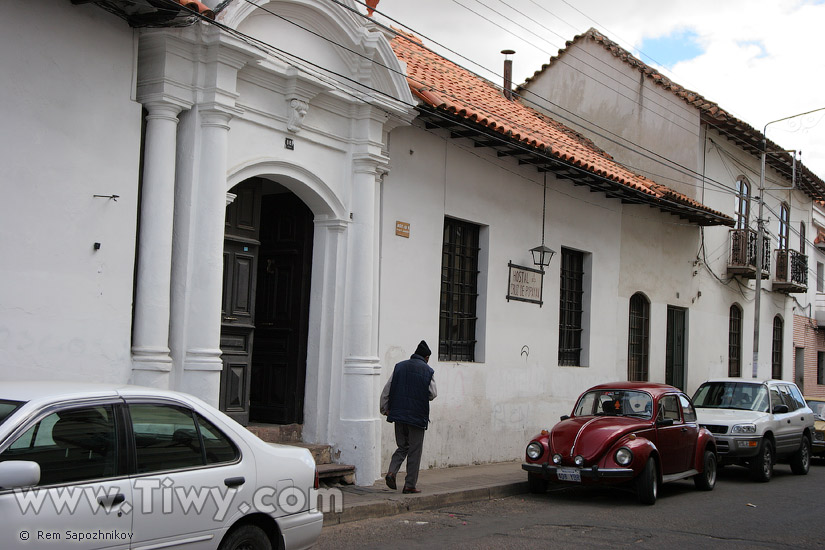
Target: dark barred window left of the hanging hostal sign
pixel 459 291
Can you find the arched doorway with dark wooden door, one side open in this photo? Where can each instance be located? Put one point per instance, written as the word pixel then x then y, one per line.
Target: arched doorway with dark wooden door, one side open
pixel 267 268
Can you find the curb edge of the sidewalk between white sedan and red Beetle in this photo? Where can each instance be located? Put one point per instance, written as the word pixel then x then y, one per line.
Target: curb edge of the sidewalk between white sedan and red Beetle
pixel 394 506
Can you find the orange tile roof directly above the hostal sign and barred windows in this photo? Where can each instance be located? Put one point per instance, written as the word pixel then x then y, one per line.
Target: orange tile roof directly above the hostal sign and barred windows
pixel 450 89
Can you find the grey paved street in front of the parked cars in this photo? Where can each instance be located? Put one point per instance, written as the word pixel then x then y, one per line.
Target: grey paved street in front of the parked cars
pixel 784 513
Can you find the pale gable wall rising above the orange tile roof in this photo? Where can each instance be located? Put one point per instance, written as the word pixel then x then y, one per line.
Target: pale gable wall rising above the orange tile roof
pixel 636 121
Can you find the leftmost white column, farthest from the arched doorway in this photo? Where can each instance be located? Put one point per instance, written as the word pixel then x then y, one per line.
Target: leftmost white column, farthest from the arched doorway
pixel 151 362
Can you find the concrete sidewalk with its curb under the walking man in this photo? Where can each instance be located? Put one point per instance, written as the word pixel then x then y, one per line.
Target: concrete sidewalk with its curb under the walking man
pixel 439 487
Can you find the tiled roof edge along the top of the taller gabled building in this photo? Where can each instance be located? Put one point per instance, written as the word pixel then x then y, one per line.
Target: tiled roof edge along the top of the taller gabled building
pixel 744 135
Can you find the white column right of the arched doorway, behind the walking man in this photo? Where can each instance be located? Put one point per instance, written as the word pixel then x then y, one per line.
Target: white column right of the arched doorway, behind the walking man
pixel 362 367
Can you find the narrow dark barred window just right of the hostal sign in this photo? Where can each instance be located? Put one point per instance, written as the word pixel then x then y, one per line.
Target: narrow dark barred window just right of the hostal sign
pixel 571 297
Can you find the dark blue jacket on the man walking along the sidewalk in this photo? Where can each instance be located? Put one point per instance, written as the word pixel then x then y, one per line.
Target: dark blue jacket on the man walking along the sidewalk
pixel 410 392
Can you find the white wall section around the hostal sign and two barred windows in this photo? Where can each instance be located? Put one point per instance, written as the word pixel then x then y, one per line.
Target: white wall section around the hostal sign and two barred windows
pixel 487 410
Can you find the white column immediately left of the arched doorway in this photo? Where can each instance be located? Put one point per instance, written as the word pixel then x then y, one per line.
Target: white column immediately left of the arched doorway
pixel 202 363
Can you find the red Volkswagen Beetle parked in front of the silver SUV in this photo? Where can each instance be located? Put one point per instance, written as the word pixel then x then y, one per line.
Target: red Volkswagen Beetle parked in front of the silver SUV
pixel 625 432
